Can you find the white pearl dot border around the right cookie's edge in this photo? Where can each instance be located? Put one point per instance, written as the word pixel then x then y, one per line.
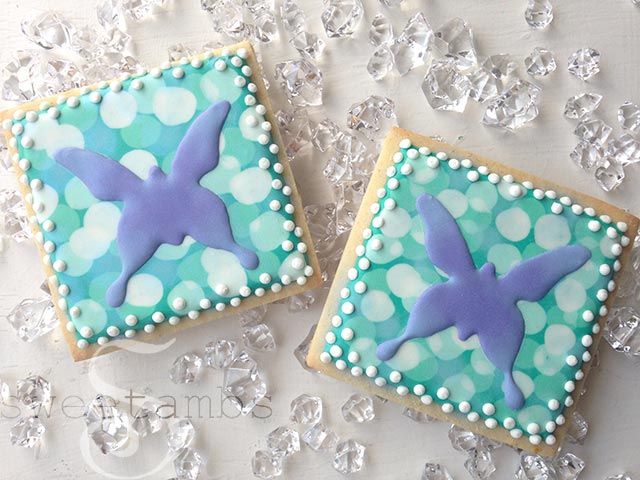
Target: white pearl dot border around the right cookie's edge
pixel 395 173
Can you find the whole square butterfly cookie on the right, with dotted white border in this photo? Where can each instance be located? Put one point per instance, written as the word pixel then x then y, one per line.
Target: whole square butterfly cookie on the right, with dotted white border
pixel 472 292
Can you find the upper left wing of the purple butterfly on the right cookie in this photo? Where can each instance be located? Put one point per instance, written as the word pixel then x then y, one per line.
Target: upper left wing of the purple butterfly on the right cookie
pixel 443 239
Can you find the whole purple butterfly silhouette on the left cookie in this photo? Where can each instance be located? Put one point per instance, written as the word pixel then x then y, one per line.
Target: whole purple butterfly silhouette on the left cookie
pixel 162 208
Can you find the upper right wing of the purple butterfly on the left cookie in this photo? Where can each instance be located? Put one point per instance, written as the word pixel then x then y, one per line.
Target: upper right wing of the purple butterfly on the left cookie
pixel 199 150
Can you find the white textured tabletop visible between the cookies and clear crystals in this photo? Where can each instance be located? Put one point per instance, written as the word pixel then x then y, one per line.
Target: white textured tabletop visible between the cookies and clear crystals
pixel 397 447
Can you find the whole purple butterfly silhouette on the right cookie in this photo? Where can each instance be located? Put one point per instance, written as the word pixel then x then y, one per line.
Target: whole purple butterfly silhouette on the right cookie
pixel 477 302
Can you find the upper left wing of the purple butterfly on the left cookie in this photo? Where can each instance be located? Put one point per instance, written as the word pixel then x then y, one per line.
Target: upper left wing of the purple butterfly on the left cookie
pixel 106 179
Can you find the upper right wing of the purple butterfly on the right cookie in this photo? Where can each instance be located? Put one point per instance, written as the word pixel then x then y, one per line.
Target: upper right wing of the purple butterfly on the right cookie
pixel 532 279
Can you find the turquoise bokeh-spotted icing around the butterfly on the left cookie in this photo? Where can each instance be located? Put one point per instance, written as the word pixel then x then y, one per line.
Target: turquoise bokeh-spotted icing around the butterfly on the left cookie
pixel 140 129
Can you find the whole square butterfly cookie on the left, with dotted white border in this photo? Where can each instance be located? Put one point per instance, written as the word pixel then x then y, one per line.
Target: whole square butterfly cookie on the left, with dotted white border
pixel 161 201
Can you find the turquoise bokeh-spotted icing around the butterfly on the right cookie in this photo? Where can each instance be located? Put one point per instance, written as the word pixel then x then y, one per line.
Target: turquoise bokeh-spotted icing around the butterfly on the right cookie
pixel 499 228
